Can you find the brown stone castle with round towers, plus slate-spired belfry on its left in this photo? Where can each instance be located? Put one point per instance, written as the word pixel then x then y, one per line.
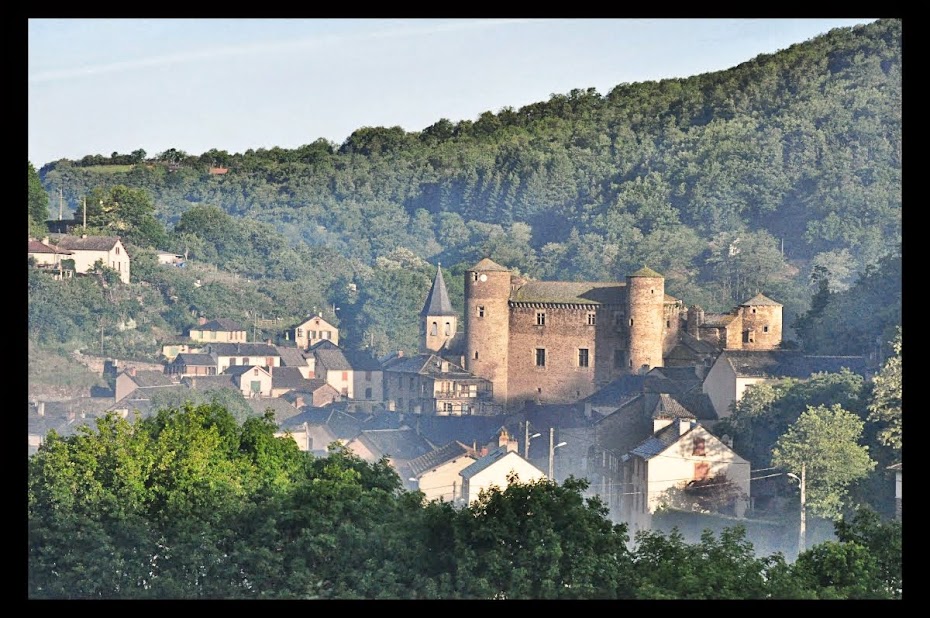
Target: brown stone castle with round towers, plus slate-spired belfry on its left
pixel 560 341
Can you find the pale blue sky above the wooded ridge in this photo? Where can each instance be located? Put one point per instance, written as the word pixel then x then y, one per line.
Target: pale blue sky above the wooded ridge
pixel 98 86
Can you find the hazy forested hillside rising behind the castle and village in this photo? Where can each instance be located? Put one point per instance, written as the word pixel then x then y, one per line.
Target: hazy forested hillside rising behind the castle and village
pixel 781 175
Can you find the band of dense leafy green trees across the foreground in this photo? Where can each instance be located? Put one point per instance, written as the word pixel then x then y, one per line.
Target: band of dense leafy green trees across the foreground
pixel 191 504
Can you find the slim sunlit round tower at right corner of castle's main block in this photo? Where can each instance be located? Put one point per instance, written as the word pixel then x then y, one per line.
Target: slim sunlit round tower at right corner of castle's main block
pixel 645 303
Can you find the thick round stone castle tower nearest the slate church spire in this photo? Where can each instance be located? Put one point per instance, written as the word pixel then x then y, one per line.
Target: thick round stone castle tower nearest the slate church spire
pixel 487 324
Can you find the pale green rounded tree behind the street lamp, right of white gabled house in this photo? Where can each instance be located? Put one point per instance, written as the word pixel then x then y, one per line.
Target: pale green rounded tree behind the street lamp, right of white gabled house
pixel 825 442
